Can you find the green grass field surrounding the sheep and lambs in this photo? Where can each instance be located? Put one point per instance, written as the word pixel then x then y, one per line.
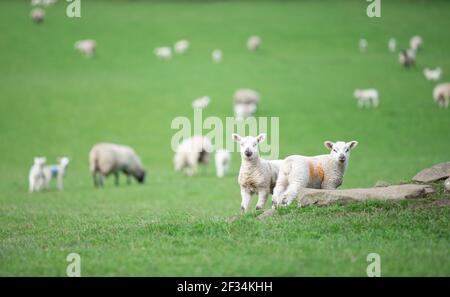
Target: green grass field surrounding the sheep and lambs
pixel 55 102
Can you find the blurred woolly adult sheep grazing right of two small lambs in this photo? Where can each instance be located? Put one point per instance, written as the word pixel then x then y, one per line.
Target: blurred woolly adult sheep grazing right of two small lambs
pixel 109 158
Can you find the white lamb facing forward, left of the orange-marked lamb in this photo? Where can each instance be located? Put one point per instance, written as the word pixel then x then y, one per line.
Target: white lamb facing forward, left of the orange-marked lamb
pixel 256 175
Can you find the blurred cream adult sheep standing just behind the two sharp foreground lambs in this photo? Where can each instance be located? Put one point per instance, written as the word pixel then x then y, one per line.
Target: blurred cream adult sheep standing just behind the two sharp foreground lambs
pixel 192 152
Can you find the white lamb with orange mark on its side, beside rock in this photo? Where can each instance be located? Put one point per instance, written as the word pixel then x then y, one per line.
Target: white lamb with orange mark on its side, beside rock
pixel 319 172
